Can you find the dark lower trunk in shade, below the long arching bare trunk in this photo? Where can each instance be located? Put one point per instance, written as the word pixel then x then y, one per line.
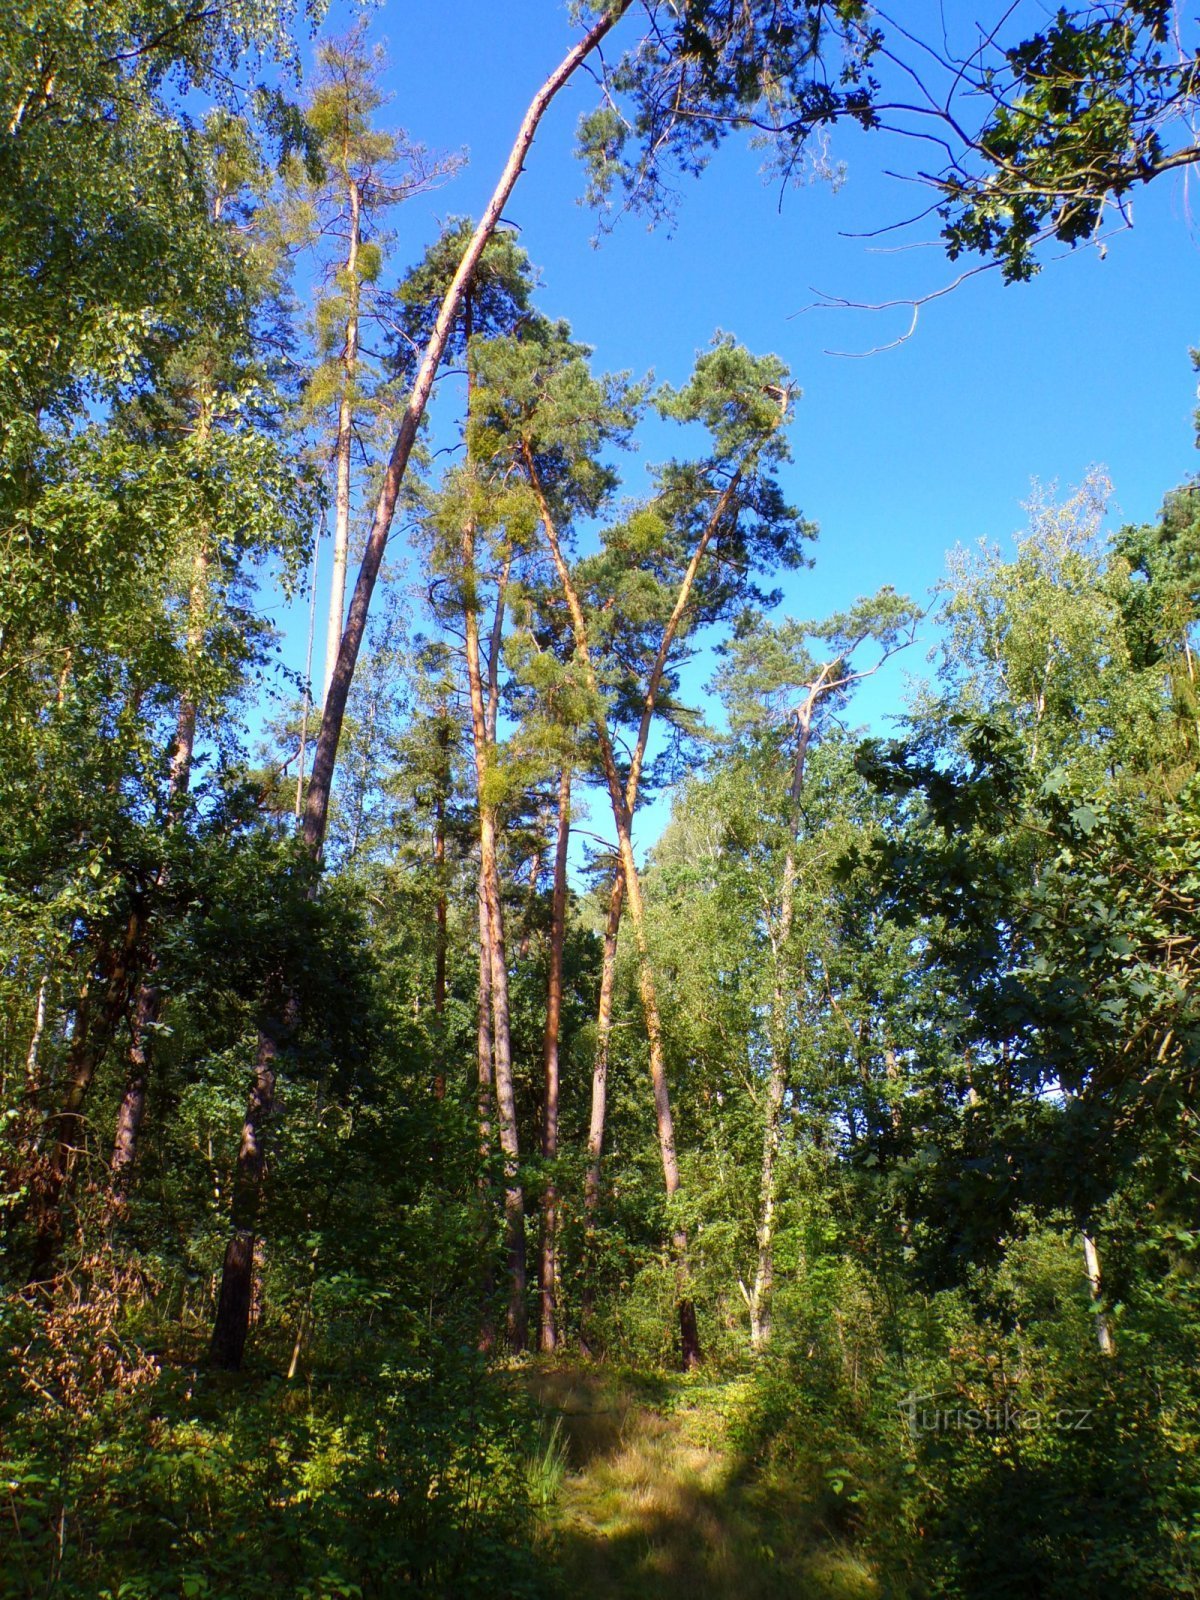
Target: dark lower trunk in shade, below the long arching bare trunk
pixel 238 1273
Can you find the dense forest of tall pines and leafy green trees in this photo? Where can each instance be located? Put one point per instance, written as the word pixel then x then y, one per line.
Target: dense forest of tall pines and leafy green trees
pixel 553 1097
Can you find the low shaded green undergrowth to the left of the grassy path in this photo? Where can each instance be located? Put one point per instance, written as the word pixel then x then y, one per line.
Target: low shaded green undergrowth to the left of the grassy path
pixel 414 1476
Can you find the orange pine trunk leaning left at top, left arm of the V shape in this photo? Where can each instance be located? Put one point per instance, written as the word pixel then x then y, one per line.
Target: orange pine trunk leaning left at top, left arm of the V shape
pixel 690 1346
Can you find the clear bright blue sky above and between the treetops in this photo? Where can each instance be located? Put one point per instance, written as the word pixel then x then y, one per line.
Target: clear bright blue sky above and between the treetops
pixel 898 455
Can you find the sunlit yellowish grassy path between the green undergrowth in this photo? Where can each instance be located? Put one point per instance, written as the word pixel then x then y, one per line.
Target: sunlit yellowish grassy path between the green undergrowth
pixel 657 1500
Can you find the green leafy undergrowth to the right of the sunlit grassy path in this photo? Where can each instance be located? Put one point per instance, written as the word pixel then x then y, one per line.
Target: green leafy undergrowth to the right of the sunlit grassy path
pixel 985 1455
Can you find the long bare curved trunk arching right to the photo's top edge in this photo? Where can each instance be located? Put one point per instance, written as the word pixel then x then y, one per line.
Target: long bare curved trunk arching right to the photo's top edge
pixel 318 807
